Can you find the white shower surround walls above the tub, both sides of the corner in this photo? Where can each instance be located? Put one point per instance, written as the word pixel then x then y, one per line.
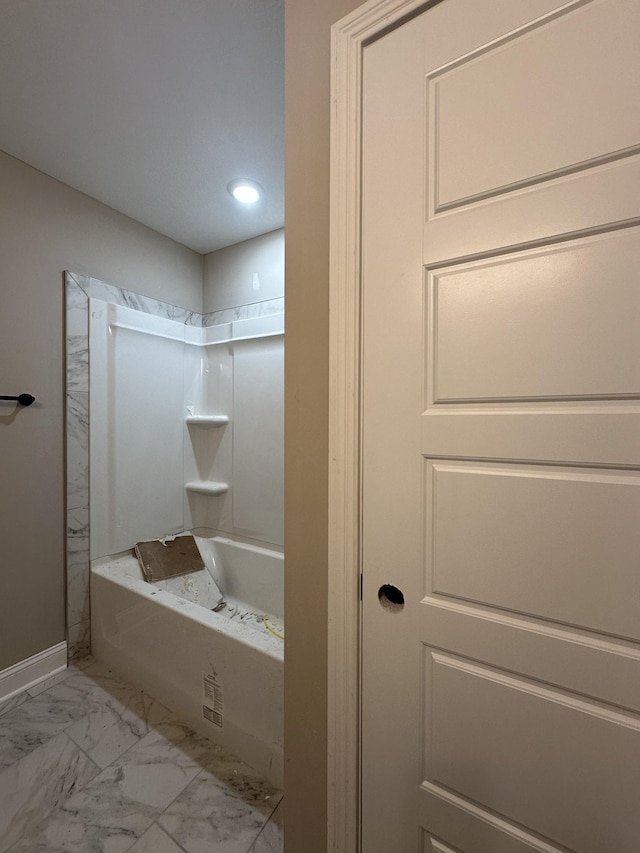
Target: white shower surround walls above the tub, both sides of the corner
pixel 154 382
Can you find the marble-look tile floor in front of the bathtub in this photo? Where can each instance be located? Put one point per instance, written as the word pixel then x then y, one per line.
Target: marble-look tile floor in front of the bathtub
pixel 91 764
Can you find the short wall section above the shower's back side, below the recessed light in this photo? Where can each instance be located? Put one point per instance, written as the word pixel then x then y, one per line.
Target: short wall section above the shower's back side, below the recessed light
pixel 230 274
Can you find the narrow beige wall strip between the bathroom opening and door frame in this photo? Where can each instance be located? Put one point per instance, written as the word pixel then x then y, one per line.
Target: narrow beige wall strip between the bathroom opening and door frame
pixel 307 66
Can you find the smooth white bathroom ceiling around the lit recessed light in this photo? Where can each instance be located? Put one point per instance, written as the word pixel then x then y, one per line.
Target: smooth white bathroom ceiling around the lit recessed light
pixel 151 106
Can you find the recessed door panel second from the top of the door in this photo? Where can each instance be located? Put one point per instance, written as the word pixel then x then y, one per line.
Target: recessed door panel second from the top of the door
pixel 555 322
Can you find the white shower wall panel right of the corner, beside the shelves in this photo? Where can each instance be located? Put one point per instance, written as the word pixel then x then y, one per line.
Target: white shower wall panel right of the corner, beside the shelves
pixel 242 378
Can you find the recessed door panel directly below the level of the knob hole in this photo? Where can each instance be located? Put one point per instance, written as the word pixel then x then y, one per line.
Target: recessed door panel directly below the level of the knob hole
pixel 577 758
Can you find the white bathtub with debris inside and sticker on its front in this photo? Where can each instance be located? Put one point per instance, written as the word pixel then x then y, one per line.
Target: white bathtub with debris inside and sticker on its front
pixel 221 672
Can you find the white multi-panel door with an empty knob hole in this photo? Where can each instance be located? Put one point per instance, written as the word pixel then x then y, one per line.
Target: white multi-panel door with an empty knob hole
pixel 501 437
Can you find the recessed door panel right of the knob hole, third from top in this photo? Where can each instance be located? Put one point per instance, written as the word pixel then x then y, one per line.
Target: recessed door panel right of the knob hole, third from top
pixel 560 544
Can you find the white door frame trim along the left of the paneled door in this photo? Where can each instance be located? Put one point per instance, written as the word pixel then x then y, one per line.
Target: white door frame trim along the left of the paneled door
pixel 349 37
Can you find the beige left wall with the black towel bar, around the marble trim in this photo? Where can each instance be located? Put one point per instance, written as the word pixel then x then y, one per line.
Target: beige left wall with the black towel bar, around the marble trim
pixel 45 228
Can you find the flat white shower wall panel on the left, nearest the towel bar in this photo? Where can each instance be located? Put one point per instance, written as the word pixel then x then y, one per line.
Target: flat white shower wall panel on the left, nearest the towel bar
pixel 137 403
